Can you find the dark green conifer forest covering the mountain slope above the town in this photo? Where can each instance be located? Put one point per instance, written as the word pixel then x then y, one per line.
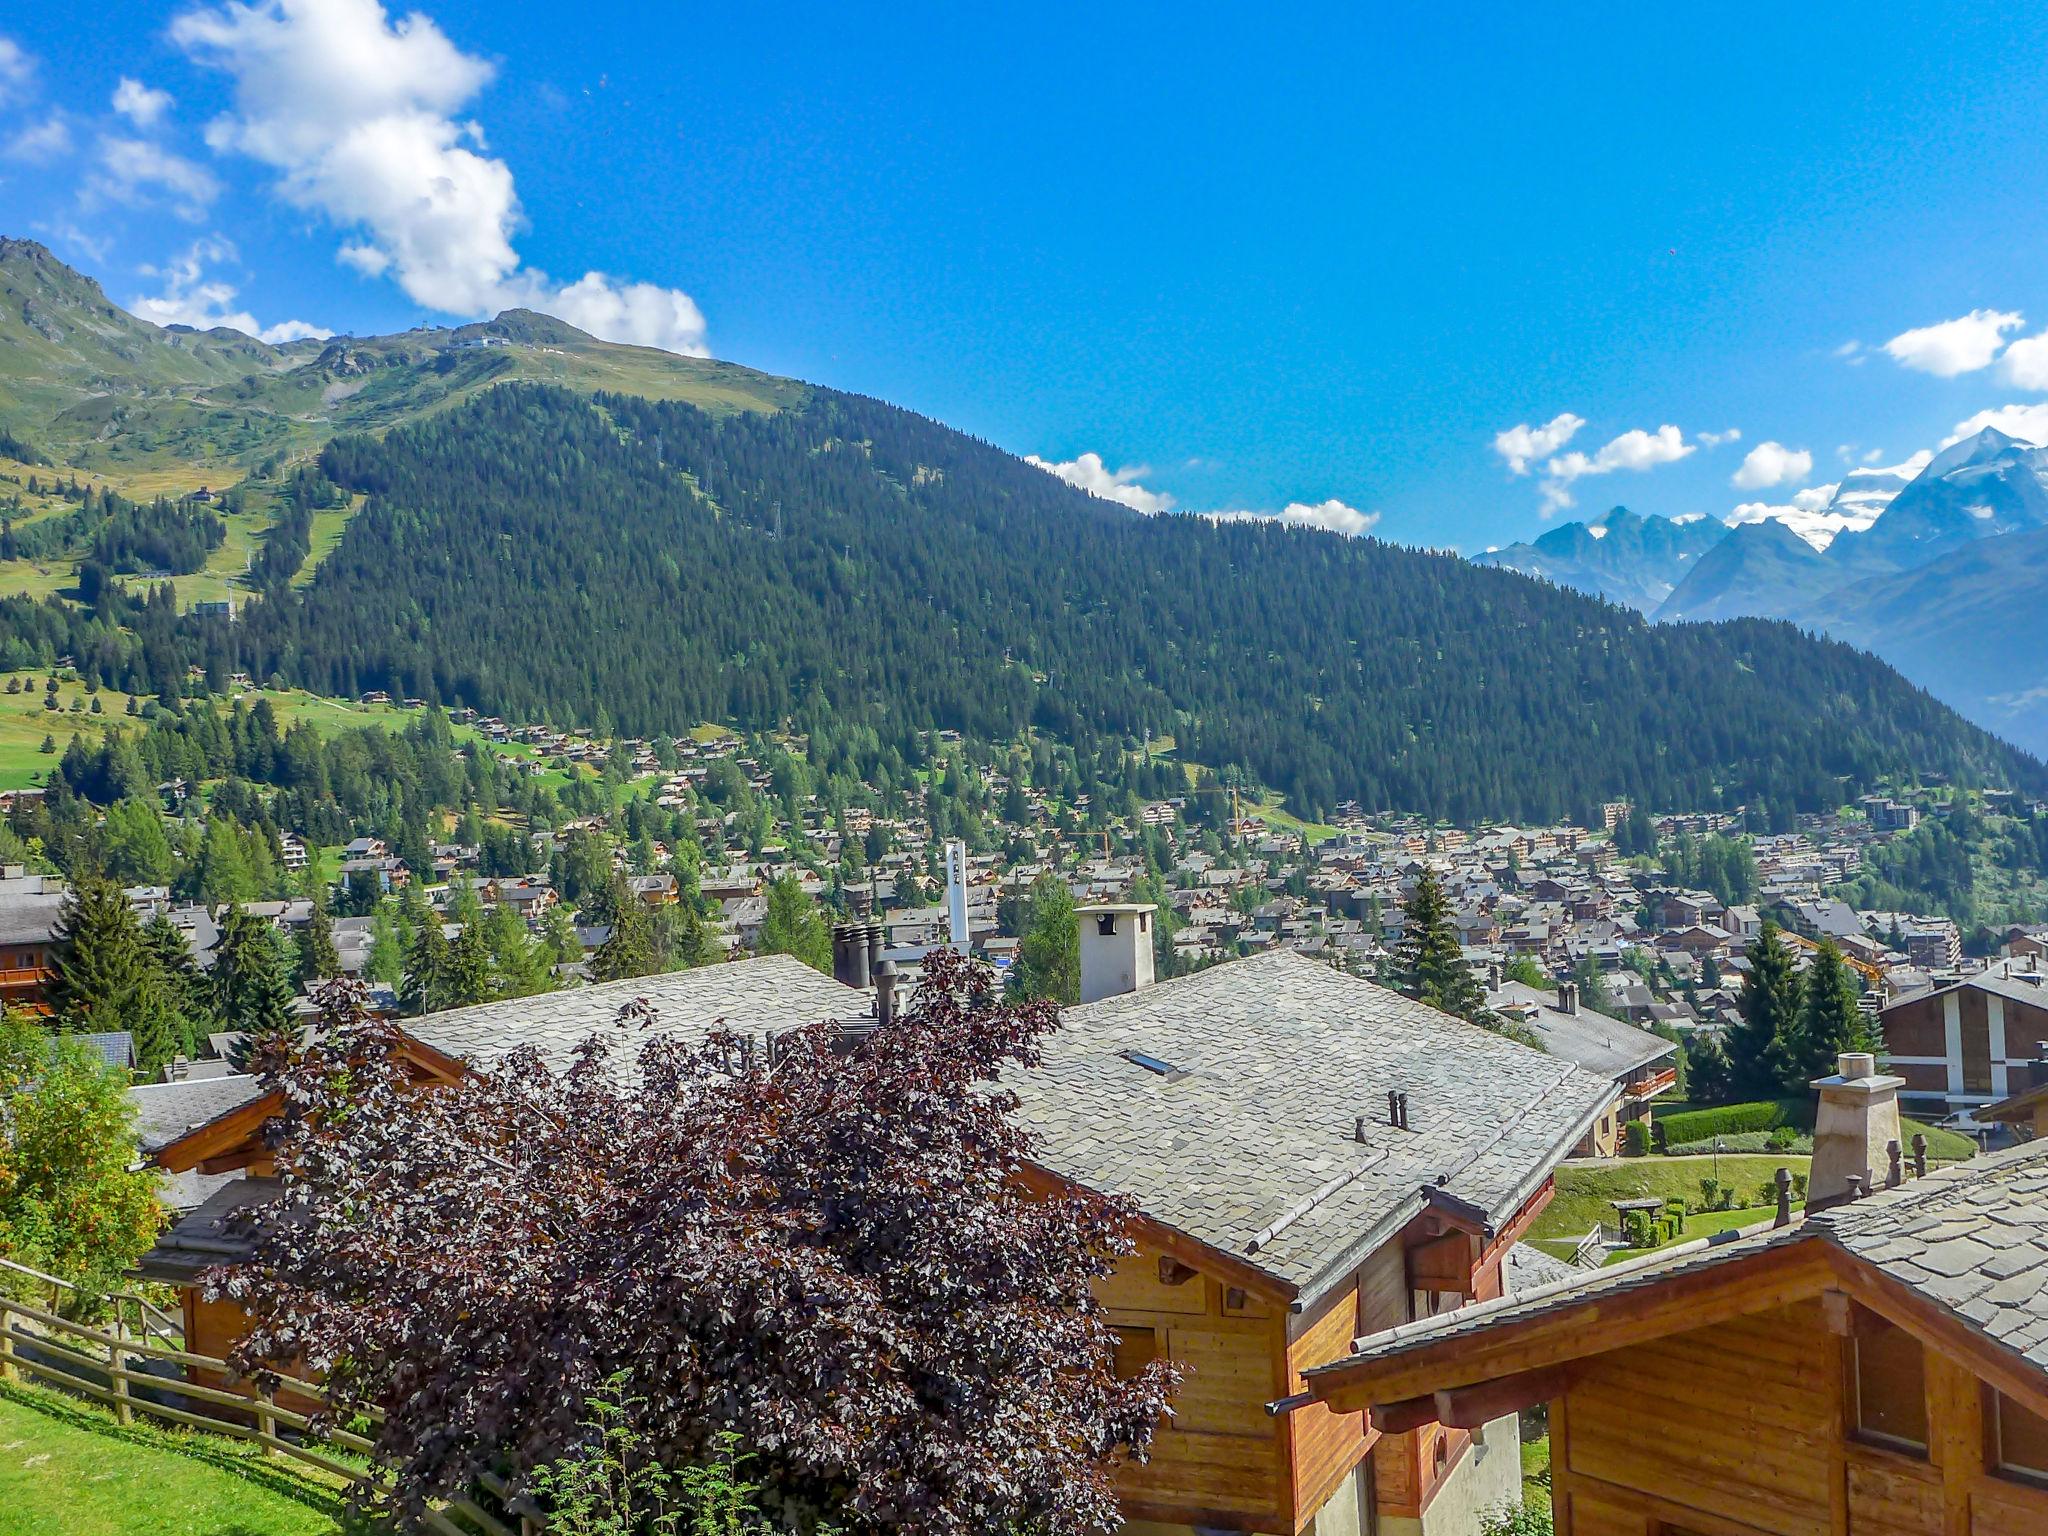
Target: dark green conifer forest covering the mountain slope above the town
pixel 546 556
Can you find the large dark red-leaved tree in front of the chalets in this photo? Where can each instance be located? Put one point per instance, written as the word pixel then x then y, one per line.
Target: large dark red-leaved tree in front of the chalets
pixel 828 1254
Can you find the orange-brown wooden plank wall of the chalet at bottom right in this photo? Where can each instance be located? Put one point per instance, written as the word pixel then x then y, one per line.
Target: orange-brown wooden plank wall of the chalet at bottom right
pixel 1744 1431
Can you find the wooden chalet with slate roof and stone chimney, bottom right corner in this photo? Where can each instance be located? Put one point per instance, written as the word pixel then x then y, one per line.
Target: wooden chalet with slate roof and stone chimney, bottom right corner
pixel 1875 1369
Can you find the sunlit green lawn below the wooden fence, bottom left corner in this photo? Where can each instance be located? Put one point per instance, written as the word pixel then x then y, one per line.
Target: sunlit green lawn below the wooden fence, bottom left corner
pixel 69 1467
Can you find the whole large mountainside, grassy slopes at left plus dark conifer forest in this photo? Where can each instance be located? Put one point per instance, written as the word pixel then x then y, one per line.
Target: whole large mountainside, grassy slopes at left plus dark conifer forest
pixel 558 529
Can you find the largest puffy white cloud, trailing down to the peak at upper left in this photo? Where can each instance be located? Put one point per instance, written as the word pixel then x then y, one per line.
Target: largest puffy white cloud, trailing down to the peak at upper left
pixel 359 118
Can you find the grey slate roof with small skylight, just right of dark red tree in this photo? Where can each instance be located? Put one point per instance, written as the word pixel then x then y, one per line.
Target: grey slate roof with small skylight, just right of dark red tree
pixel 1248 1146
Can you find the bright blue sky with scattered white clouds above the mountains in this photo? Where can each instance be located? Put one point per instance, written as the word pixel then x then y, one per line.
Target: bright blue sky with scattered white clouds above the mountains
pixel 1258 259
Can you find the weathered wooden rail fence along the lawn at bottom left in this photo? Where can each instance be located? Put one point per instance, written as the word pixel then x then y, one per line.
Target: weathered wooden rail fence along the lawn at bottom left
pixel 101 1363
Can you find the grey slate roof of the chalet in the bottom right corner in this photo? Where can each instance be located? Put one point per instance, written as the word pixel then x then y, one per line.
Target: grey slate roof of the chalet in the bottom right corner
pixel 1971 1238
